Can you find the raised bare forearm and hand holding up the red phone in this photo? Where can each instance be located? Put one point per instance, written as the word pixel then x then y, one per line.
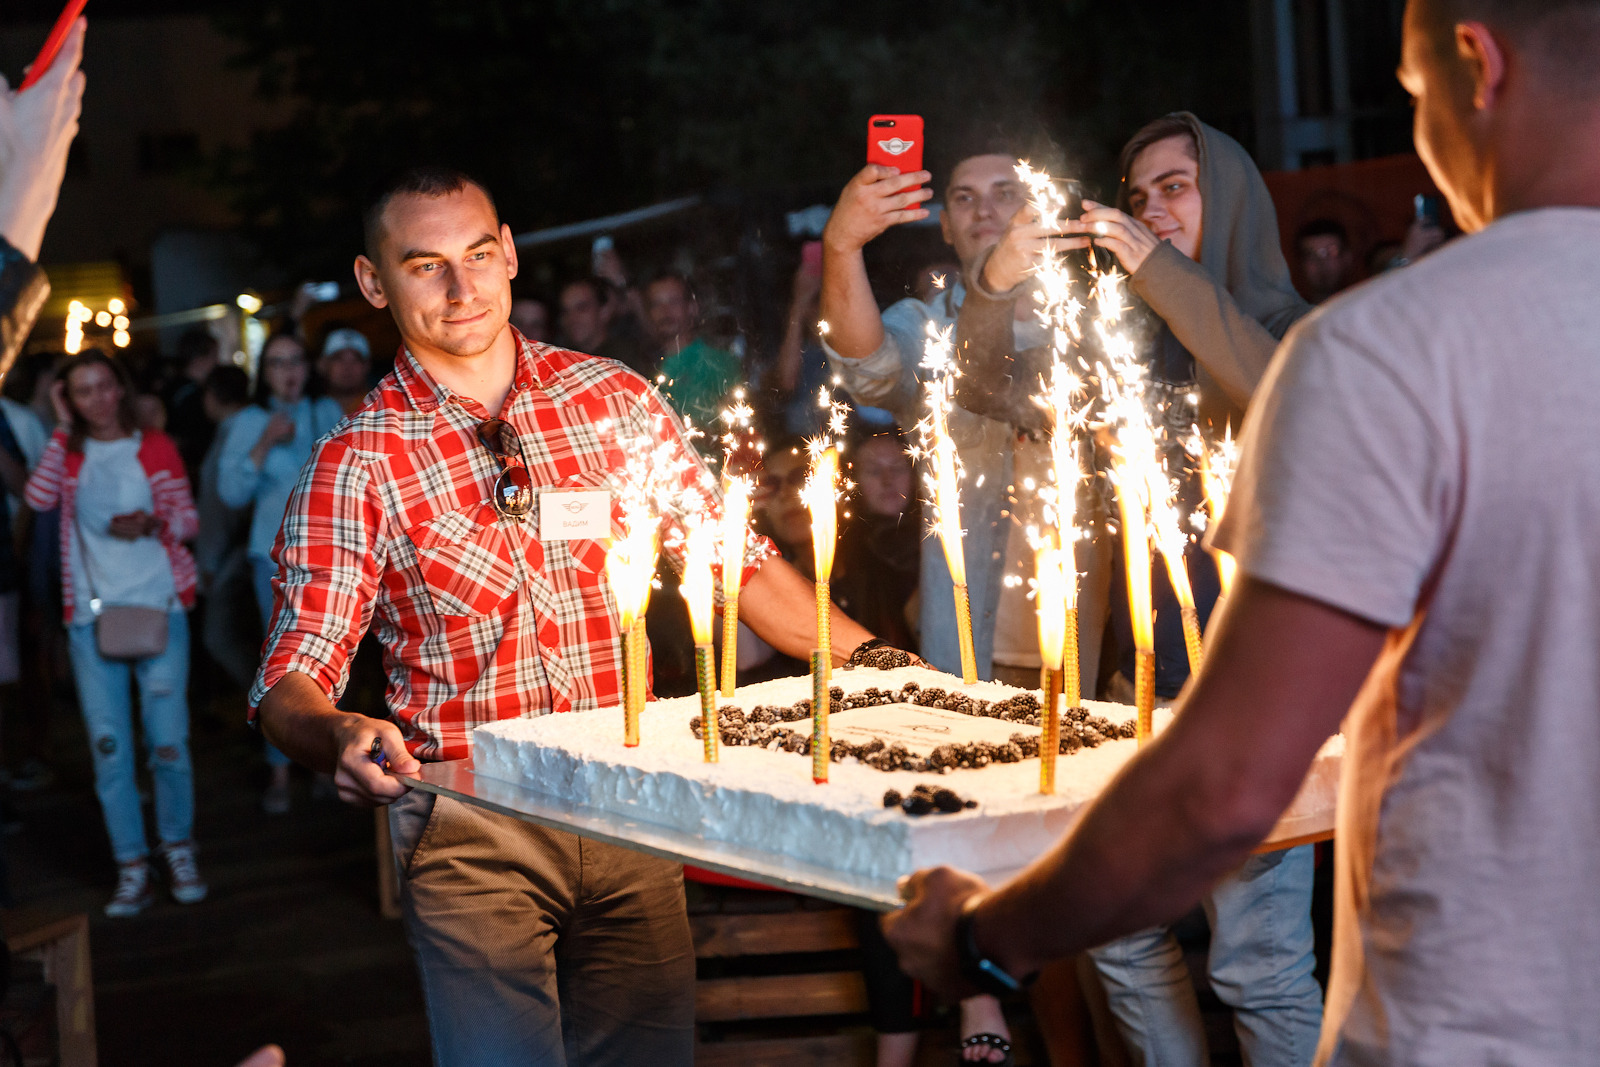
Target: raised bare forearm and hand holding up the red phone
pixel 876 199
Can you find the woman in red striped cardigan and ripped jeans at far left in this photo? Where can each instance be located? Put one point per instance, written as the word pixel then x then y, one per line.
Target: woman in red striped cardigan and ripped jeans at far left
pixel 126 513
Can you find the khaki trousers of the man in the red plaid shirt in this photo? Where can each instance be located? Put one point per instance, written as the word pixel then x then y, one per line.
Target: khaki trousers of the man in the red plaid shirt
pixel 542 948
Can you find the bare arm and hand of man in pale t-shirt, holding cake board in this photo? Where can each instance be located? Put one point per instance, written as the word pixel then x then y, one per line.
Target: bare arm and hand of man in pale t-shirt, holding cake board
pixel 1278 681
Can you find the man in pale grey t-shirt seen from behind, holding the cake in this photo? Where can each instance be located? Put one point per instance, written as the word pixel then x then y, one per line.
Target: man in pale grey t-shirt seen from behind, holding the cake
pixel 1417 521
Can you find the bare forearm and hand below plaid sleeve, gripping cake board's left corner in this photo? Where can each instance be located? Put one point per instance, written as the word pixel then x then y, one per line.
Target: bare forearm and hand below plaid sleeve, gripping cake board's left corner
pixel 302 722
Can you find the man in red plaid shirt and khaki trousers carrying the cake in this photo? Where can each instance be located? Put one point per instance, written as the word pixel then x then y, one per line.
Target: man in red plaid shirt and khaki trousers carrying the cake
pixel 420 518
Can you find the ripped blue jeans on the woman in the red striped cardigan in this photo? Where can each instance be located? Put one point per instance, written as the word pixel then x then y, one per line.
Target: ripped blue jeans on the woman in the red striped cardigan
pixel 105 695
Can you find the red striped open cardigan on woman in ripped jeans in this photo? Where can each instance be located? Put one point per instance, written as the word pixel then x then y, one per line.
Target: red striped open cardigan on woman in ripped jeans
pixel 57 482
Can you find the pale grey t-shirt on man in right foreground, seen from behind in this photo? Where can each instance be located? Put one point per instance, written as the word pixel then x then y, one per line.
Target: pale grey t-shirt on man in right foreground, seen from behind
pixel 1426 454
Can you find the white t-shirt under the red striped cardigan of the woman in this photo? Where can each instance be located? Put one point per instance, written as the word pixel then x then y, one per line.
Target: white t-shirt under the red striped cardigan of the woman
pixel 135 573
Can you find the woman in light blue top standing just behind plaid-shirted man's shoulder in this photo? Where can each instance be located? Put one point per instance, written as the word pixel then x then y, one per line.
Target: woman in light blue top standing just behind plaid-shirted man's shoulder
pixel 266 447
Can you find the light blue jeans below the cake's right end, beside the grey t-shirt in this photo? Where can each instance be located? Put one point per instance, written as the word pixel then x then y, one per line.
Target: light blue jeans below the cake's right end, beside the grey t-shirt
pixel 1262 967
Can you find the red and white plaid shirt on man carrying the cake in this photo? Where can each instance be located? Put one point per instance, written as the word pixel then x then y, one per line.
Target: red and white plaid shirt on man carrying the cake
pixel 393 527
